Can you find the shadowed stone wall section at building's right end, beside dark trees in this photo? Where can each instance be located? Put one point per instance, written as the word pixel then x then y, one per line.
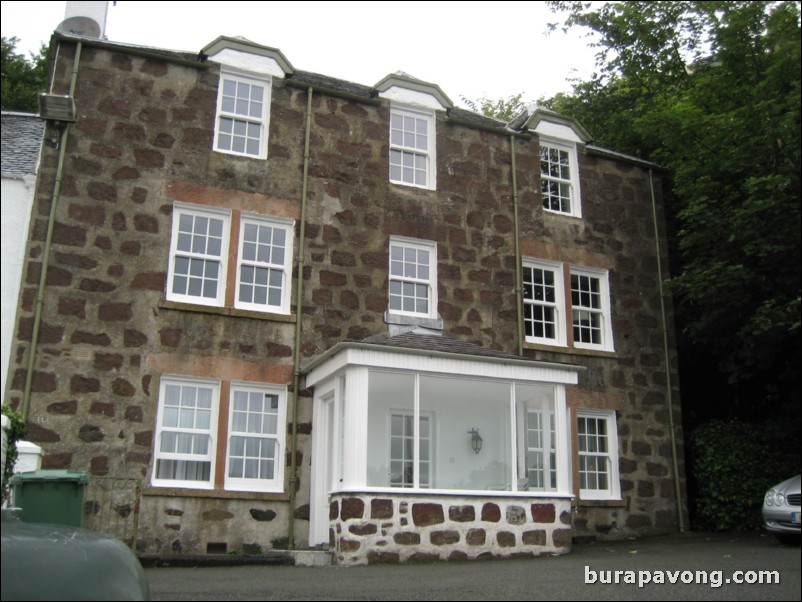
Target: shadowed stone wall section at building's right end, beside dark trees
pixel 617 233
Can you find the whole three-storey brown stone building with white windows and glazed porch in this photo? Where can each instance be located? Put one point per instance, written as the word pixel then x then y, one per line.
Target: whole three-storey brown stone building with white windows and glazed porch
pixel 309 313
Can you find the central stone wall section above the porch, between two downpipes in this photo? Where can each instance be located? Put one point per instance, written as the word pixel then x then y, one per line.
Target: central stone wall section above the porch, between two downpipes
pixel 354 210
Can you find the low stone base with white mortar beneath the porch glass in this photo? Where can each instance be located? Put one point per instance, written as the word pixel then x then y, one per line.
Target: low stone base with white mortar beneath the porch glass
pixel 380 528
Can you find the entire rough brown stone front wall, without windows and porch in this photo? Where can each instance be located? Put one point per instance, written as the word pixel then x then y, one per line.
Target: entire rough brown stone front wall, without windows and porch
pixel 143 140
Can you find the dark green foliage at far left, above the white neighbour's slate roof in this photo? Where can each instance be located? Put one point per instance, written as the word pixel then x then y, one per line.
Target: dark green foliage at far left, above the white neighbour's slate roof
pixel 22 79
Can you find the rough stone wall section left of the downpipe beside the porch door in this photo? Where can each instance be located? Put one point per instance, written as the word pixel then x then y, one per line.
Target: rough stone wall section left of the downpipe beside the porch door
pixel 143 140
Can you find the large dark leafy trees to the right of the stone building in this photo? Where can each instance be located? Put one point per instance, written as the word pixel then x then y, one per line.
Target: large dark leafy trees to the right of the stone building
pixel 711 91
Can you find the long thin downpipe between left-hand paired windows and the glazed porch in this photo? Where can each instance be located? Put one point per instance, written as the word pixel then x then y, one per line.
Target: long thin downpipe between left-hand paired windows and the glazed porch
pixel 299 297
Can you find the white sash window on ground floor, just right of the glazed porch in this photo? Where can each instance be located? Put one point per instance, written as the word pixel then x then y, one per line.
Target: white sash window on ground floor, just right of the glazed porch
pixel 609 455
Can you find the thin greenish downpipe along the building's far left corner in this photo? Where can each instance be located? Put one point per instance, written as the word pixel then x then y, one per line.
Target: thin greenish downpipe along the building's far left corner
pixel 25 405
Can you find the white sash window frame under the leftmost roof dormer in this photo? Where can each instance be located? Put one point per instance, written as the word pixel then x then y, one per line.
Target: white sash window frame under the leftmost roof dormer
pixel 259 119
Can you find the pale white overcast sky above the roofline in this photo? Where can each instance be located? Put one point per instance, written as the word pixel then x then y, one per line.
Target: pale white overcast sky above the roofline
pixel 469 49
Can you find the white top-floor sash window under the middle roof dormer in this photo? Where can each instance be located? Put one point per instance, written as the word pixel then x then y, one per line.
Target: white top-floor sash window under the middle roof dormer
pixel 398 144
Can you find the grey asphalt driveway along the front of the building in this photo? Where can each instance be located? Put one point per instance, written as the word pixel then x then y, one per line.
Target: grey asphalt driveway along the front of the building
pixel 692 566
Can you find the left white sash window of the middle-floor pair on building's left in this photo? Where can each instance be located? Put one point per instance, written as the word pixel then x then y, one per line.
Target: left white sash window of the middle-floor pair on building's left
pixel 181 210
